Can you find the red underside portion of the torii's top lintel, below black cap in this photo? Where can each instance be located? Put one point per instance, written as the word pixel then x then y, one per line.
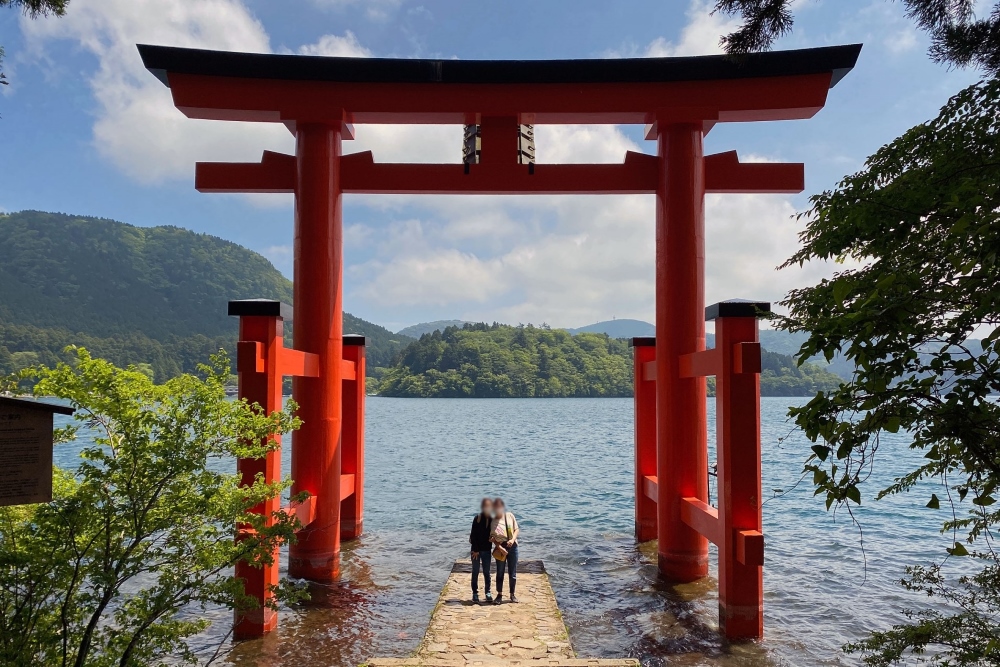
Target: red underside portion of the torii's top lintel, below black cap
pixel 621 103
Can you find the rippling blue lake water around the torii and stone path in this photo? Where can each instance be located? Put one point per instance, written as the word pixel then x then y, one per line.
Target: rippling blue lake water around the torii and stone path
pixel 564 466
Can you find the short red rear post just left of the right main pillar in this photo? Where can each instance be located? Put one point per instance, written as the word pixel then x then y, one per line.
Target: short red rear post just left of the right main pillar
pixel 644 353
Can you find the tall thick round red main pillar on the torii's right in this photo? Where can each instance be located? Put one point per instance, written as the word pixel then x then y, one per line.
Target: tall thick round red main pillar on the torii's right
pixel 682 453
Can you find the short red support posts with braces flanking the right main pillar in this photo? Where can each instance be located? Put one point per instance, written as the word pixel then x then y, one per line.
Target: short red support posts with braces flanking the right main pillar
pixel 735 526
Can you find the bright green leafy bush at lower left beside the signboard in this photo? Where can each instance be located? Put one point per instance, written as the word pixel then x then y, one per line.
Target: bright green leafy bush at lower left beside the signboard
pixel 143 527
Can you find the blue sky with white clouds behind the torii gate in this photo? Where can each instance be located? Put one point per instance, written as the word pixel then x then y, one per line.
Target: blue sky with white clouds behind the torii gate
pixel 84 129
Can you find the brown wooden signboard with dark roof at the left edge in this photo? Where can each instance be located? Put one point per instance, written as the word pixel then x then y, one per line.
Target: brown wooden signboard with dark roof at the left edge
pixel 26 450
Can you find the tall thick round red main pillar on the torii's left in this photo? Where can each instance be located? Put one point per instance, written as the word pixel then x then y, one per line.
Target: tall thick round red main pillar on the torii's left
pixel 316 447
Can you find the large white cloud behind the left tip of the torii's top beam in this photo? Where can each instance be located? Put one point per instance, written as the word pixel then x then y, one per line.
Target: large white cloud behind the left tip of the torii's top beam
pixel 137 127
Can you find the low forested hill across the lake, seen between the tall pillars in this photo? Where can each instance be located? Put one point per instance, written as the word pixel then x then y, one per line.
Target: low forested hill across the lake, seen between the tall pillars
pixel 497 360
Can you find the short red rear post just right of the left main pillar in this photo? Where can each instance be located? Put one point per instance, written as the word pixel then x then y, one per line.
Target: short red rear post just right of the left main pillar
pixel 353 460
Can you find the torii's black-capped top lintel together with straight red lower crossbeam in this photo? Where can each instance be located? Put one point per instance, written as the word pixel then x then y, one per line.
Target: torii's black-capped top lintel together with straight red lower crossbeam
pixel 499 95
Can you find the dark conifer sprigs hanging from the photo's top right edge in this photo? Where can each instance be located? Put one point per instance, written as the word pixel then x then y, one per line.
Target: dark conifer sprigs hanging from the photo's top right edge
pixel 958 36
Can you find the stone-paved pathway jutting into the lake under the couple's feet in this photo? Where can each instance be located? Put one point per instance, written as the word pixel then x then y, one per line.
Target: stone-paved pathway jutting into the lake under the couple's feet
pixel 529 633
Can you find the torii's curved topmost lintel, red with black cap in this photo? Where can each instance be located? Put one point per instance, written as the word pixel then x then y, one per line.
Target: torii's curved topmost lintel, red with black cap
pixel 779 85
